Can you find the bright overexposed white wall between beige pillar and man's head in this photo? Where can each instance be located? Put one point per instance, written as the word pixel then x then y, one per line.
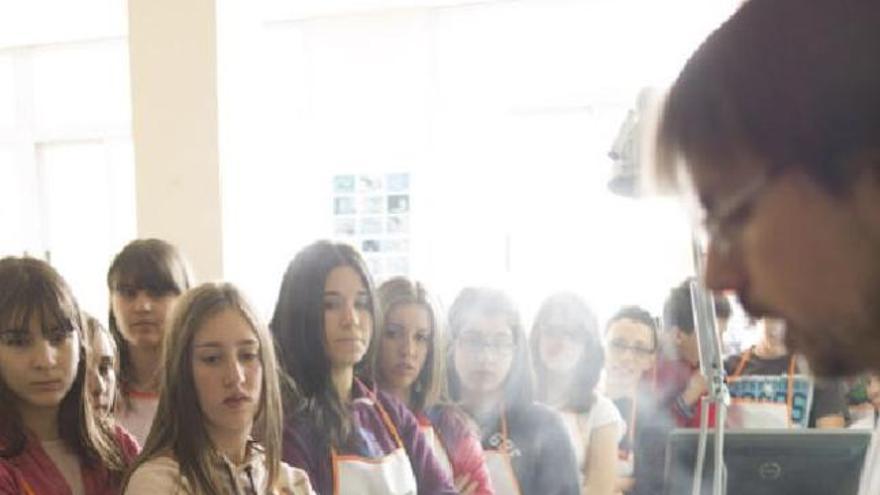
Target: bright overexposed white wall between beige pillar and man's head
pixel 502 111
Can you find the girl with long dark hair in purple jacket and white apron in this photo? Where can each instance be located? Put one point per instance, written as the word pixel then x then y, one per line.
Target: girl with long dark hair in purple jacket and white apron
pixel 348 436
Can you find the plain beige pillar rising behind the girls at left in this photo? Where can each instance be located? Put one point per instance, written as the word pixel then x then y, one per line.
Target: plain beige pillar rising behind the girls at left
pixel 173 47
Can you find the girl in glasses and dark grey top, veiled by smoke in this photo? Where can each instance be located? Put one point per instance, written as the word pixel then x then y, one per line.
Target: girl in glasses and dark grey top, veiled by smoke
pixel 526 445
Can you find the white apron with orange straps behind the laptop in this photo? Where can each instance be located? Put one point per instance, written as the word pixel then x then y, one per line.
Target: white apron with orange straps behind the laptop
pixel 755 402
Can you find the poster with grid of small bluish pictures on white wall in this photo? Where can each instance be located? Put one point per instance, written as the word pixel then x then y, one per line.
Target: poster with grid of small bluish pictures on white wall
pixel 372 212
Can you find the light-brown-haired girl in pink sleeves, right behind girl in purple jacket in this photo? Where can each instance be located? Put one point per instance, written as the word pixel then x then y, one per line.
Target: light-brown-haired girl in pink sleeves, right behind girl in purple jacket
pixel 411 367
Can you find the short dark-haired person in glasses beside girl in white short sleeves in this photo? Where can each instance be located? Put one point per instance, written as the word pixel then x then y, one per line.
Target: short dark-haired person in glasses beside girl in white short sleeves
pixel 631 340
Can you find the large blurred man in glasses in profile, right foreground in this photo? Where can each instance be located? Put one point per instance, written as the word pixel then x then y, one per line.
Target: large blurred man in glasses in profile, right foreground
pixel 776 122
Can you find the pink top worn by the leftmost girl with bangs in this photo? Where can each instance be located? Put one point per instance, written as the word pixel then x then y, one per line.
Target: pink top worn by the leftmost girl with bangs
pixel 33 473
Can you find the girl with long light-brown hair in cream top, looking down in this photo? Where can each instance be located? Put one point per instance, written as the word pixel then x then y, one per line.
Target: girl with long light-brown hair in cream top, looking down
pixel 218 425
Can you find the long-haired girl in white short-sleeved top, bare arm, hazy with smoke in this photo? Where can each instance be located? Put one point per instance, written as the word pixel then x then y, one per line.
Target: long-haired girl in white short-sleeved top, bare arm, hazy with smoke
pixel 568 358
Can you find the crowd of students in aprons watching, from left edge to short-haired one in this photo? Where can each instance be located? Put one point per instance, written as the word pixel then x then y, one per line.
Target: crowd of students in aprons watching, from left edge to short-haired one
pixel 372 391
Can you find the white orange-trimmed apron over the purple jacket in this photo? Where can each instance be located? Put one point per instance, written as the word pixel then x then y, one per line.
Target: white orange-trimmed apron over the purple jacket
pixel 391 474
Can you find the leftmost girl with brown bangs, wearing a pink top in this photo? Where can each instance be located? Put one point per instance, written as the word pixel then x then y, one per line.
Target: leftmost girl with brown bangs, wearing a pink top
pixel 51 440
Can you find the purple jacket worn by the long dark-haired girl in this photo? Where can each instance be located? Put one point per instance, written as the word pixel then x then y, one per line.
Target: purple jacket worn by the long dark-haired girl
pixel 372 439
